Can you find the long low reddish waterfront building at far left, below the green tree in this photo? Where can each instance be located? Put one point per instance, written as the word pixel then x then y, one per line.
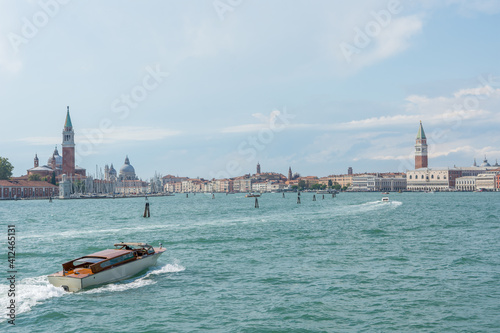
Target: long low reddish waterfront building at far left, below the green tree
pixel 16 189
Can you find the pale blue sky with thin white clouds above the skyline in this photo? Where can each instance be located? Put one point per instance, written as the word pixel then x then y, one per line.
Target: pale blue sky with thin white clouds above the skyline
pixel 210 88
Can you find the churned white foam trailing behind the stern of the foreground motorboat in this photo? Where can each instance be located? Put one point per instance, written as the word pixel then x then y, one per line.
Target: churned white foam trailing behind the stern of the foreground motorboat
pixel 29 292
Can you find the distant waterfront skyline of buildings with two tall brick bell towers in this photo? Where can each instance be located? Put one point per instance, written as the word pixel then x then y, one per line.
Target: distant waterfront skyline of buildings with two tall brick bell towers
pixel 74 181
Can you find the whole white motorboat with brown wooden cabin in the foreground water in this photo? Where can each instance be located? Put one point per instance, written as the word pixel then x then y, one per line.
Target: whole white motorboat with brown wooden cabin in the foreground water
pixel 111 265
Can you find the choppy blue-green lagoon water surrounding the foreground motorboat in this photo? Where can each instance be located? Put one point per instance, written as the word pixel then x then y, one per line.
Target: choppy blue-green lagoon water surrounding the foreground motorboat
pixel 421 263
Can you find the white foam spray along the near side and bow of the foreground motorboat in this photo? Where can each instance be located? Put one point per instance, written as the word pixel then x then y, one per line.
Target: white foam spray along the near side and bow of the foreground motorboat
pixel 136 283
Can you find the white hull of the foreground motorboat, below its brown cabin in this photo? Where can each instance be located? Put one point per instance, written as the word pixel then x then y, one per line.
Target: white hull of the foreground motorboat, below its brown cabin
pixel 114 274
